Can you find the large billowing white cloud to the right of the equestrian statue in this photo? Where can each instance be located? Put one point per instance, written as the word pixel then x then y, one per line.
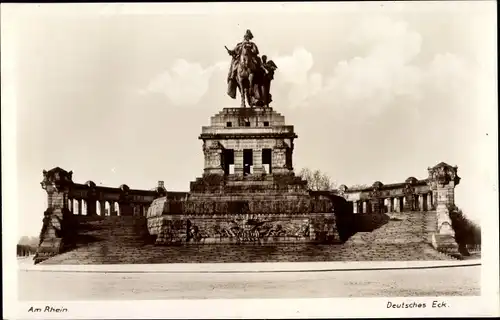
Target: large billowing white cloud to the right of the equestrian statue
pixel 384 72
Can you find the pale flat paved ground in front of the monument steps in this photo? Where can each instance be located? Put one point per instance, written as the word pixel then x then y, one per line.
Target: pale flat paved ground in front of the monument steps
pixel 460 281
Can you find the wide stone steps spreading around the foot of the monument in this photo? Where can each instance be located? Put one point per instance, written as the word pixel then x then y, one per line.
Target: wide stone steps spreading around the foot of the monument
pixel 113 240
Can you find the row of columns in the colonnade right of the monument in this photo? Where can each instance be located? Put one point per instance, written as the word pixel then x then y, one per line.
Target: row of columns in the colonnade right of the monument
pixel 418 202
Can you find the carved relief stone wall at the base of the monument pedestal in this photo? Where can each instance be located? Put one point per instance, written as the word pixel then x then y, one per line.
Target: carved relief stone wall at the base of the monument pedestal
pixel 244 228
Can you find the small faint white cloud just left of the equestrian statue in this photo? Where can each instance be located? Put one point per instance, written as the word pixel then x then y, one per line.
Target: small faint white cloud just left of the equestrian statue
pixel 184 83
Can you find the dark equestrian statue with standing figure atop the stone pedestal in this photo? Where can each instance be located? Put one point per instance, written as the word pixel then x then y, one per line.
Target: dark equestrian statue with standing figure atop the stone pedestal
pixel 250 74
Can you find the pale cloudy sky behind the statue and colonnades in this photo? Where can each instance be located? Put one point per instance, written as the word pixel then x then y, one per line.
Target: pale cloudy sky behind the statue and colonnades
pixel 376 91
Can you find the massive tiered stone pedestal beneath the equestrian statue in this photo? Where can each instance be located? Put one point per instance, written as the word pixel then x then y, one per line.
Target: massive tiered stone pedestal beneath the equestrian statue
pixel 248 192
